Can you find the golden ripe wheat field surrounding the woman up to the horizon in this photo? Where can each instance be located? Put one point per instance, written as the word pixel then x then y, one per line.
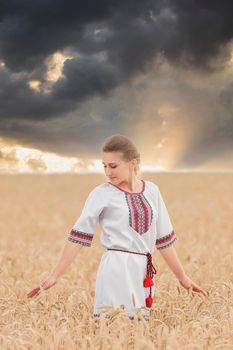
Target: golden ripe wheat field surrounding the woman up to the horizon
pixel 37 212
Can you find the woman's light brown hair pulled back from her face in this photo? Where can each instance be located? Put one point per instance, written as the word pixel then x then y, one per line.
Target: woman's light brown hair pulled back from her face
pixel 121 143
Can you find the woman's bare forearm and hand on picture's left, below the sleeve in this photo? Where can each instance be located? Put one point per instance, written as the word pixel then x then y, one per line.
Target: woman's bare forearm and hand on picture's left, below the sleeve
pixel 67 255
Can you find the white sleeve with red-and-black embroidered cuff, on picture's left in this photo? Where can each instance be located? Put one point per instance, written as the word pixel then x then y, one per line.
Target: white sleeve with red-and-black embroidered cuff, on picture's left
pixel 83 229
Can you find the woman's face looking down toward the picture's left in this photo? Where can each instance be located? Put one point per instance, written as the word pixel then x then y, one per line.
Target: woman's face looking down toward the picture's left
pixel 116 168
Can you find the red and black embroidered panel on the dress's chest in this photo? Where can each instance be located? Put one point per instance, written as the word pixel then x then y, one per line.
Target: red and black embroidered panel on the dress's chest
pixel 140 212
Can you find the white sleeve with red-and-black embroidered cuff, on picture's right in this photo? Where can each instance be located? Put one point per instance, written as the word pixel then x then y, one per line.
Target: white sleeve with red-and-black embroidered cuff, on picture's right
pixel 165 232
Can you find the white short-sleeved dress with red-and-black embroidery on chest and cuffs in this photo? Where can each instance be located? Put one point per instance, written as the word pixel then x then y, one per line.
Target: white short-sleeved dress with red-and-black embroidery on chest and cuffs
pixel 138 222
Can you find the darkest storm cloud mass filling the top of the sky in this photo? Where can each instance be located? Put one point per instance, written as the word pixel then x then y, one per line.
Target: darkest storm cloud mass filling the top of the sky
pixel 115 41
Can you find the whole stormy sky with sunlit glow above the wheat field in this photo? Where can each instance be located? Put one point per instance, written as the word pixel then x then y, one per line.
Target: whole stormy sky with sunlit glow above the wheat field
pixel 74 73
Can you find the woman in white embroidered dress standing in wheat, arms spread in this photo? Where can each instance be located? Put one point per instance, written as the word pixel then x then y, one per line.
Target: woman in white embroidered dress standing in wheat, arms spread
pixel 134 221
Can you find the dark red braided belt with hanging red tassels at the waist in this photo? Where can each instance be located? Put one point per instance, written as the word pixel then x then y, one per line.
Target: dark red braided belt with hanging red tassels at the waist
pixel 151 271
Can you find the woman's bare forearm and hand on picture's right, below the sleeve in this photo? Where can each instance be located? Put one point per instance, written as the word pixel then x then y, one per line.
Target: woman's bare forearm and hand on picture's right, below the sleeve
pixel 171 258
